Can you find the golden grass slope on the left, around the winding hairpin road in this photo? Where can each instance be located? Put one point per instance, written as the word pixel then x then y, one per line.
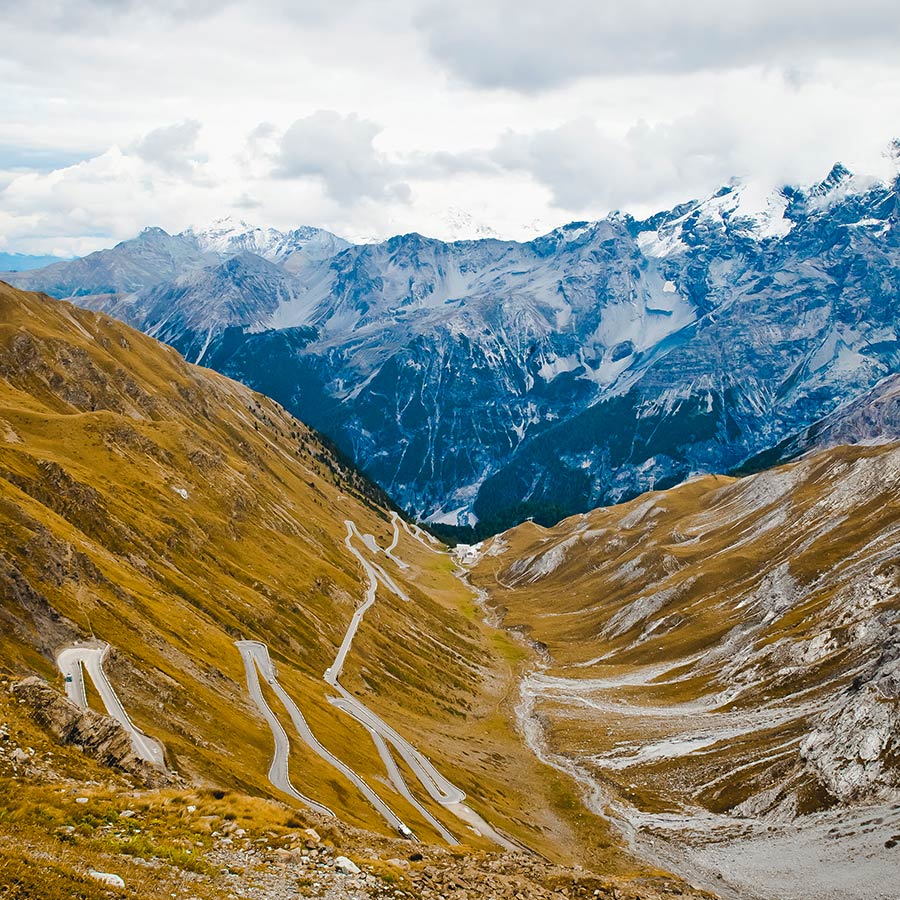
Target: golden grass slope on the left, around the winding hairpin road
pixel 169 511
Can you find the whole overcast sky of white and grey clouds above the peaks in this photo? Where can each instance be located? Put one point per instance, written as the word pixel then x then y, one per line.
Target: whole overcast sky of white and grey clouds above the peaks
pixel 373 117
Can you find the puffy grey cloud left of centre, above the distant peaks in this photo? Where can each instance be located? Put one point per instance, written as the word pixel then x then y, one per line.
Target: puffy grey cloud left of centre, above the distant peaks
pixel 339 150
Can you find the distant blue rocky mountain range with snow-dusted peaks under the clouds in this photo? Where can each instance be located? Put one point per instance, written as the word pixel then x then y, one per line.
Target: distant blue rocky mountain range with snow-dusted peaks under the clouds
pixel 484 382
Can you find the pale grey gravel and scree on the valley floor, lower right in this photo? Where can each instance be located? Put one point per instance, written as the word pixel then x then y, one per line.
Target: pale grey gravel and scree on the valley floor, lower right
pixel 849 853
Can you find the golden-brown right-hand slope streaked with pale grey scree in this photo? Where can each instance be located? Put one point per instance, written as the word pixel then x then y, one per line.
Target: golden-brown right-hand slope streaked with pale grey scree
pixel 730 644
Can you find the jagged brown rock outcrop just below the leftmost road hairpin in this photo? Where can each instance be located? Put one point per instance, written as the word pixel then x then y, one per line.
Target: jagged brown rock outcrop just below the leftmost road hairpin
pixel 101 737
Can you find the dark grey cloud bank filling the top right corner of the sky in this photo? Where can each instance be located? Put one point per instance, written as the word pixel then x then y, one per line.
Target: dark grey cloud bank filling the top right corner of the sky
pixel 527 45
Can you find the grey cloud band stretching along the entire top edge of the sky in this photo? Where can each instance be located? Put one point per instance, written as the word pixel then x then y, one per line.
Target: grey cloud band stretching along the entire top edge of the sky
pixel 530 45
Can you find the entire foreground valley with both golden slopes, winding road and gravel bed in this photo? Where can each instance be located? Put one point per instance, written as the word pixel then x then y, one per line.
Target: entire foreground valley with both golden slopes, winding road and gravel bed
pixel 222 649
